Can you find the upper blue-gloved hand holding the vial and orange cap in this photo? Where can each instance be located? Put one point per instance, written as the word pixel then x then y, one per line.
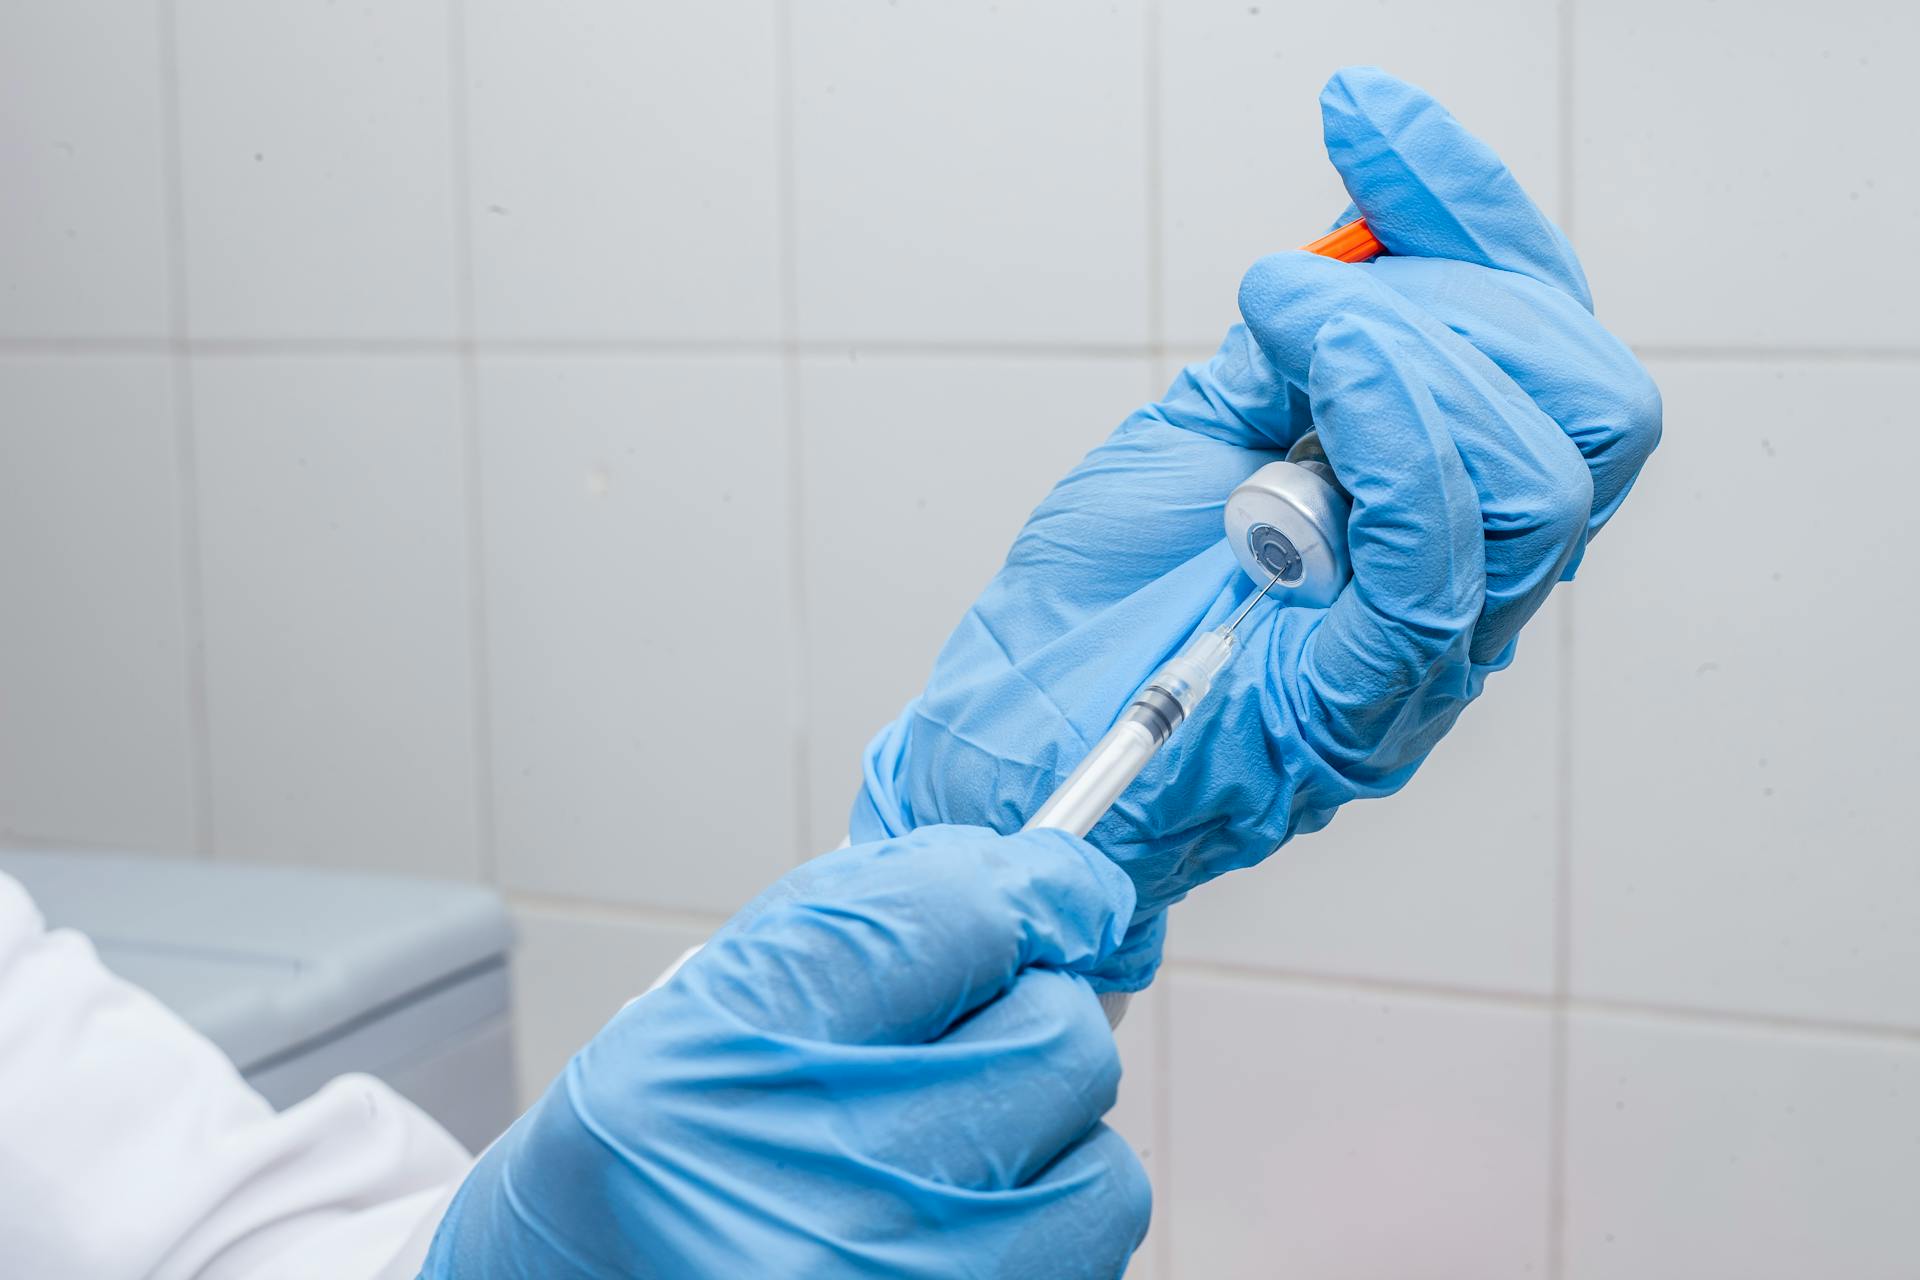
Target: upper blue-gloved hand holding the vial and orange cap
pixel 1487 427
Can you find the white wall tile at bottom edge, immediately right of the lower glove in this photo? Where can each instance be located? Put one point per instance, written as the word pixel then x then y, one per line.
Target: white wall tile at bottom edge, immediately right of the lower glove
pixel 1347 1135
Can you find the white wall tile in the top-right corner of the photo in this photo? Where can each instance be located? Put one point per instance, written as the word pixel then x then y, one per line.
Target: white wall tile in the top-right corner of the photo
pixel 1740 172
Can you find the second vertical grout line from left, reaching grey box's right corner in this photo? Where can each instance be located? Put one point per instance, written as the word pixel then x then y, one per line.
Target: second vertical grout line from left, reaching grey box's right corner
pixel 481 676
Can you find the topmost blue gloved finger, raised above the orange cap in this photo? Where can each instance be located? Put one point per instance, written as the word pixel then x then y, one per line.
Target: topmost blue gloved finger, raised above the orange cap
pixel 1431 189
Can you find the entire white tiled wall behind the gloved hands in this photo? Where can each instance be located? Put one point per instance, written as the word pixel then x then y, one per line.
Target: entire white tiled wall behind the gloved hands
pixel 540 444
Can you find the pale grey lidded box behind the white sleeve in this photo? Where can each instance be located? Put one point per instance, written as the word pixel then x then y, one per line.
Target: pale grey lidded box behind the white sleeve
pixel 300 976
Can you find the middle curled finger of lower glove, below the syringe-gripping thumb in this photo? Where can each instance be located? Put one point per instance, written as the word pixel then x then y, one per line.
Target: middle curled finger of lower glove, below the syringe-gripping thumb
pixel 999 1097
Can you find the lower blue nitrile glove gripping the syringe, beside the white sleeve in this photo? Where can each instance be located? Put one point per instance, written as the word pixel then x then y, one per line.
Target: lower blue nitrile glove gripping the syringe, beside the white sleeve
pixel 886 1066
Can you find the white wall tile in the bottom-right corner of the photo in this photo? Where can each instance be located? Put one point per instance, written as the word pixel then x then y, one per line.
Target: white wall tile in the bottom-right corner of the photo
pixel 1733 1152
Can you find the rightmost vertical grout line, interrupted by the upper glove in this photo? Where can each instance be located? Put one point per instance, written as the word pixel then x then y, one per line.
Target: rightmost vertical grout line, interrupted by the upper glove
pixel 1558 1028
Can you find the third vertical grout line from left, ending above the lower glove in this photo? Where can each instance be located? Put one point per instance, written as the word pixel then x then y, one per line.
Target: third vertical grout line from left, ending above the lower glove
pixel 800 661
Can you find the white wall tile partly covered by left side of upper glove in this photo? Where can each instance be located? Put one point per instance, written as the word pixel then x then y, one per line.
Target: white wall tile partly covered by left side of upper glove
pixel 917 475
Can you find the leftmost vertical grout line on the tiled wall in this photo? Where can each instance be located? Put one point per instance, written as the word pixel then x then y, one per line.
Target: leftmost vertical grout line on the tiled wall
pixel 185 437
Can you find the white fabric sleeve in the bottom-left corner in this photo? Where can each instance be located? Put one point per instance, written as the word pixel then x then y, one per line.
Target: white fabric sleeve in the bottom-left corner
pixel 132 1149
